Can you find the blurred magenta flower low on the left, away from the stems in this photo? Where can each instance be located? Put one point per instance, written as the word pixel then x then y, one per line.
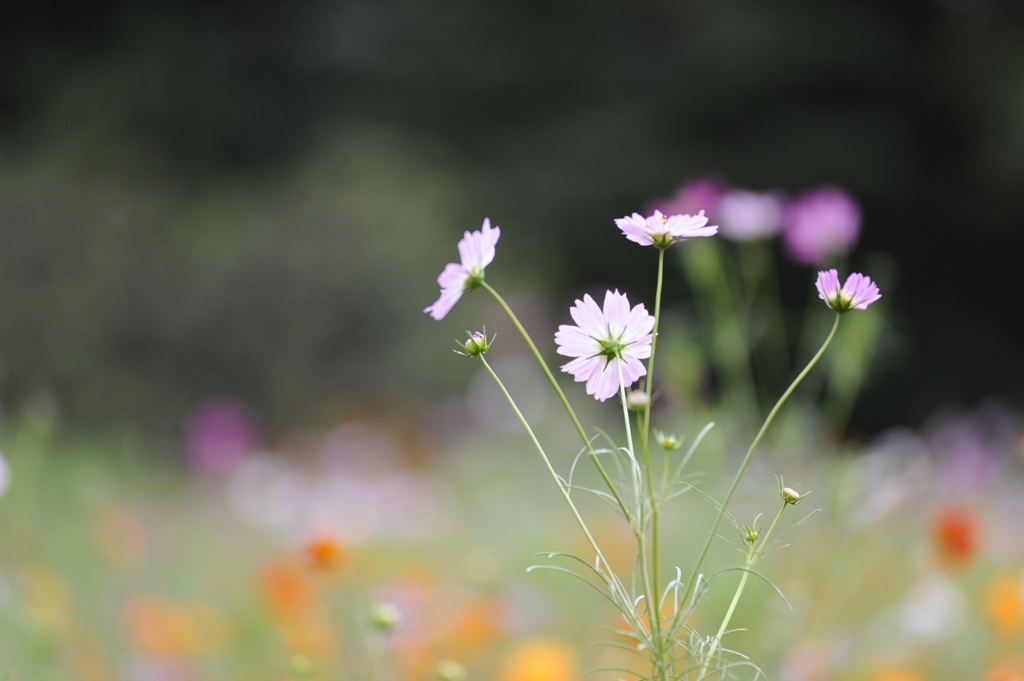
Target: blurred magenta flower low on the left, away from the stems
pixel 220 435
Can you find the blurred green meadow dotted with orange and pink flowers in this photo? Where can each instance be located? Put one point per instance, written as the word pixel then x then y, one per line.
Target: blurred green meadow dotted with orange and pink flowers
pixel 120 563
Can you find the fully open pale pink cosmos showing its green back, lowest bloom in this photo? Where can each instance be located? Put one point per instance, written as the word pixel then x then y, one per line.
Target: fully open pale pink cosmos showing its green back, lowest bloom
pixel 608 342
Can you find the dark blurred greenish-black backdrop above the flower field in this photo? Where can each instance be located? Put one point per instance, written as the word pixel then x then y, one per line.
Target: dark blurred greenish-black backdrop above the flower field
pixel 254 198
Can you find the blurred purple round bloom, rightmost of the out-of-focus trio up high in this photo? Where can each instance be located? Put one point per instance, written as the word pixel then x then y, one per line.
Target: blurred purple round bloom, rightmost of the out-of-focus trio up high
pixel 821 226
